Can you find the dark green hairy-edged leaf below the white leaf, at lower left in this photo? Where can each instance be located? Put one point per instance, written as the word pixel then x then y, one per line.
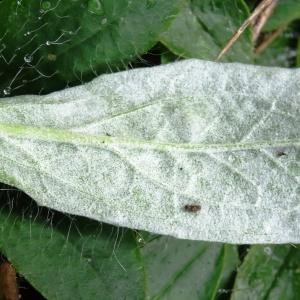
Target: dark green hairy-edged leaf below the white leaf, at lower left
pixel 68 258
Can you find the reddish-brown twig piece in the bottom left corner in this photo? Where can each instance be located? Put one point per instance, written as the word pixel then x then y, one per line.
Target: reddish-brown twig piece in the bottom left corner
pixel 8 282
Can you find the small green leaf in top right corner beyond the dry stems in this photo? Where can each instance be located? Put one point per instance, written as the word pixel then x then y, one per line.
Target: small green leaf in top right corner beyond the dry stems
pixel 285 12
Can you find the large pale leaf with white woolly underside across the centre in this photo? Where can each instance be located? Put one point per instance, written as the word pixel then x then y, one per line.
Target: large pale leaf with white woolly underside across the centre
pixel 138 148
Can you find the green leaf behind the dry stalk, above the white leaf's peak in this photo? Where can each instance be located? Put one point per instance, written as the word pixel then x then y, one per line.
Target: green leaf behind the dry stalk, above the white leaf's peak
pixel 203 27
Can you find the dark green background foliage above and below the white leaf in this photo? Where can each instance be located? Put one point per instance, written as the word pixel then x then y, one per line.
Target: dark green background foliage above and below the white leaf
pixel 49 45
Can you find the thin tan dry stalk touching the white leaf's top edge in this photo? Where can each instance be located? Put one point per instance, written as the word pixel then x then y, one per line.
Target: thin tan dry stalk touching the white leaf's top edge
pixel 257 11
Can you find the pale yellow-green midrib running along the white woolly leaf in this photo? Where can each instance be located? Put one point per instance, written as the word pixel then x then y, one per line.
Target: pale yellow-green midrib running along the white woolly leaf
pixel 64 136
